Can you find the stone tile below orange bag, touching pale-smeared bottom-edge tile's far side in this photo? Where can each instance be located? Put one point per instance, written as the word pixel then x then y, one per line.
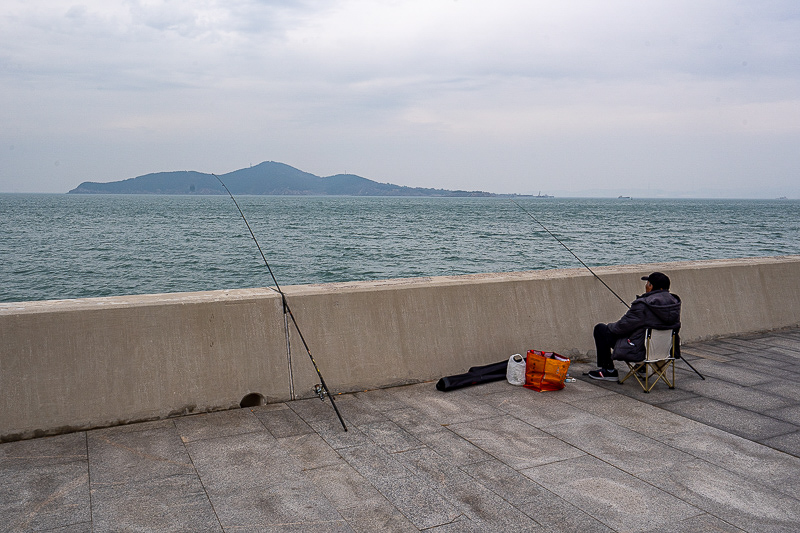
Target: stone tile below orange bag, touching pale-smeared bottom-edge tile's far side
pixel 514 442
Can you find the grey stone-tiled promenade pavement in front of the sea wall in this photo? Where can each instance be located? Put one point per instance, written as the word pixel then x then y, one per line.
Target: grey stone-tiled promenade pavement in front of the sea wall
pixel 714 455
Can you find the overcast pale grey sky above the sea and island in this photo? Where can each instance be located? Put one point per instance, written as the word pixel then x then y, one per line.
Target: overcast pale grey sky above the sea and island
pixel 675 98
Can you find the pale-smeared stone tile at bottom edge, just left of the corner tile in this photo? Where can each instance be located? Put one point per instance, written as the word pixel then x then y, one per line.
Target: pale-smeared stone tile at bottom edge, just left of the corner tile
pixel 613 497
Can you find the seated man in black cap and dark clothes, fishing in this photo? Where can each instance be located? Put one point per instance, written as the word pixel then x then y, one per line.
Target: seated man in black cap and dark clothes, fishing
pixel 657 308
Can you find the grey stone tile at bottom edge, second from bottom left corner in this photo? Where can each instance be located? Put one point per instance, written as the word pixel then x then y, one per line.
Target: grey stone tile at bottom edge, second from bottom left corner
pixel 170 503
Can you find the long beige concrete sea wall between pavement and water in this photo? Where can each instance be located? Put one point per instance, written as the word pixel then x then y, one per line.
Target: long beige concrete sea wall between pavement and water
pixel 76 364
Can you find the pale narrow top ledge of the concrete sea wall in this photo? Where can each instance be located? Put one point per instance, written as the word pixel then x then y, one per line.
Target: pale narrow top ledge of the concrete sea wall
pixel 242 295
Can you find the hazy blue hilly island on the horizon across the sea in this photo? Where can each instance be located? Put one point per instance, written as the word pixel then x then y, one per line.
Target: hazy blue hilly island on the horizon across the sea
pixel 268 178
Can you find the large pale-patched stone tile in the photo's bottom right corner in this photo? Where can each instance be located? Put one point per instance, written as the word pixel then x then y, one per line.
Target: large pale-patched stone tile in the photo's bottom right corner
pixel 743 503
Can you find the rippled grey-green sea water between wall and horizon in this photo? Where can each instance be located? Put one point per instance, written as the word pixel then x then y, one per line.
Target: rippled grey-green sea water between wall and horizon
pixel 77 246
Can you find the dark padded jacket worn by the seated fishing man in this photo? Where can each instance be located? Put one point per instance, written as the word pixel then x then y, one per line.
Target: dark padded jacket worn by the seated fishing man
pixel 657 309
